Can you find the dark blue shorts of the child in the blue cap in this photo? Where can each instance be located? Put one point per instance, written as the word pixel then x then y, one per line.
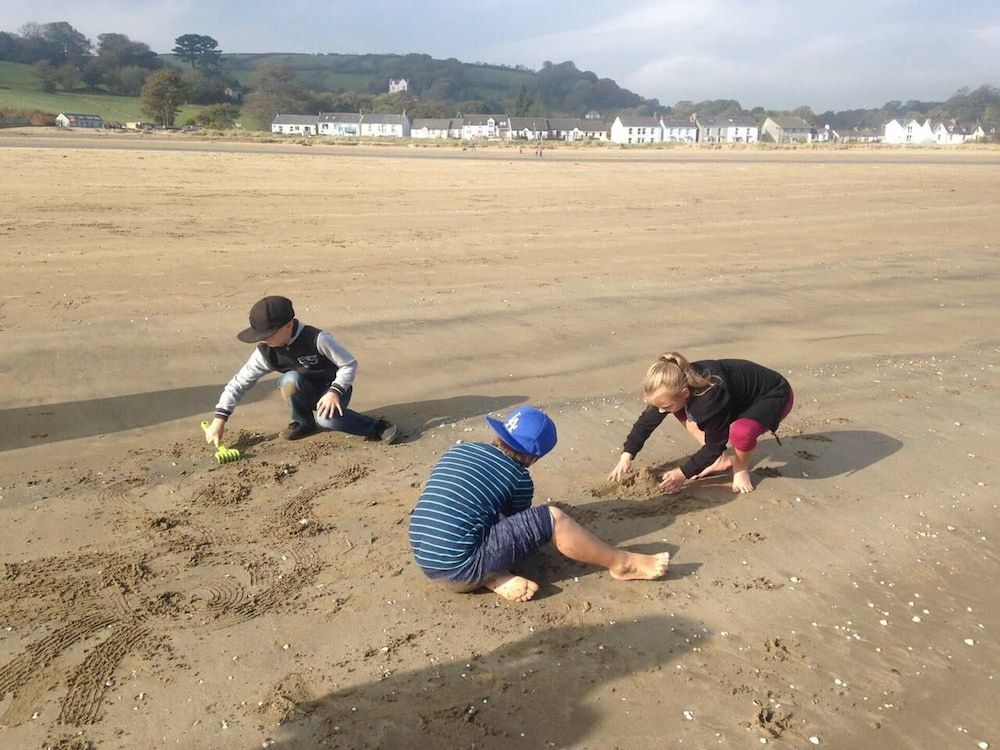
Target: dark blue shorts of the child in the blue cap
pixel 505 544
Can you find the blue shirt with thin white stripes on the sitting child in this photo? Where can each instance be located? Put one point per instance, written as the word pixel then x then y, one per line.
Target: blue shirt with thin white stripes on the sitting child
pixel 468 489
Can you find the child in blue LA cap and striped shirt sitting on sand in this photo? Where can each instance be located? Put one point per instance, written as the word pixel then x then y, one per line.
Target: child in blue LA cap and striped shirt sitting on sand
pixel 474 520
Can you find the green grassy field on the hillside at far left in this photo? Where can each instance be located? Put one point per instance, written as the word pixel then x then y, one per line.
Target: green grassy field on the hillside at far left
pixel 19 89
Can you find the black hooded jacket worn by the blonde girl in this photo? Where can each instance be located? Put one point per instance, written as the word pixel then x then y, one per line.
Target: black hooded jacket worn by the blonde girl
pixel 743 389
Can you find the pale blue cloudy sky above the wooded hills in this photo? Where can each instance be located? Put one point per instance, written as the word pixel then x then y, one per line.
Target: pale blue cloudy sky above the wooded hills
pixel 771 53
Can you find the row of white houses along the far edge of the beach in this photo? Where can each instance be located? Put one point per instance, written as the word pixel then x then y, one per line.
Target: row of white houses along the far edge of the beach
pixel 624 130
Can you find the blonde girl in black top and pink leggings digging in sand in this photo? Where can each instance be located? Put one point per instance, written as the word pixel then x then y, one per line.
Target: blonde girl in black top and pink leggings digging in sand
pixel 720 402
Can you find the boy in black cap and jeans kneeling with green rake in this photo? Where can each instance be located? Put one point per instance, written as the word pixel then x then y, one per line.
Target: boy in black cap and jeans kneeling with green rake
pixel 317 380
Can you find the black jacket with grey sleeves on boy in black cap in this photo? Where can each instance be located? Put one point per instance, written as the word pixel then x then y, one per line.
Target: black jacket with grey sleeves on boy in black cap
pixel 313 353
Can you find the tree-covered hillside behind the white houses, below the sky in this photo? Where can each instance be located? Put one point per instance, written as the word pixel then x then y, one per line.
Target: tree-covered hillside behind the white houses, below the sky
pixel 197 72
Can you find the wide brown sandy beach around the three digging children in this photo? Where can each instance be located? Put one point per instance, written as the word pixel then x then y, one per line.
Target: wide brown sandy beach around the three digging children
pixel 151 598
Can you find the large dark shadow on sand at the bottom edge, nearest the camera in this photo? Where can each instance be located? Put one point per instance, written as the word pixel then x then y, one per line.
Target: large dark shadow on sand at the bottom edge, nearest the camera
pixel 535 692
